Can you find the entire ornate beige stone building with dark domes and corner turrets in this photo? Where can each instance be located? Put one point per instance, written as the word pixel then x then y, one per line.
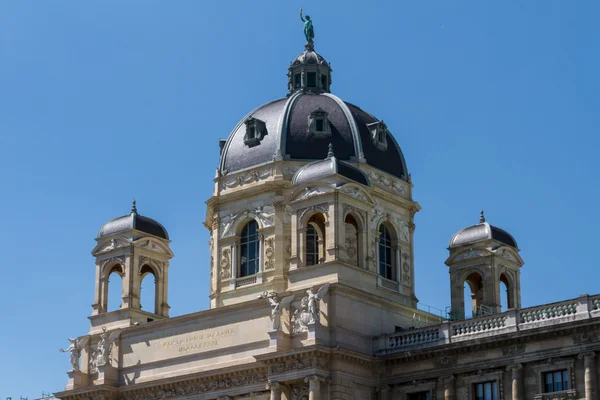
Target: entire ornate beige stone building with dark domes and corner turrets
pixel 312 292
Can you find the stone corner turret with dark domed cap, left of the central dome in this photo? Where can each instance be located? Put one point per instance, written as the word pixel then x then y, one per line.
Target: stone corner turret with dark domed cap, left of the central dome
pixel 128 249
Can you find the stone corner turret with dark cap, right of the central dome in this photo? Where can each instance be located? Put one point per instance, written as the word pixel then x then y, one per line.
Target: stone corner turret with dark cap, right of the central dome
pixel 483 256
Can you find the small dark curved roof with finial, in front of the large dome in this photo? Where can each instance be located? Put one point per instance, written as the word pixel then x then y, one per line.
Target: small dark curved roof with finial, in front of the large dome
pixel 330 166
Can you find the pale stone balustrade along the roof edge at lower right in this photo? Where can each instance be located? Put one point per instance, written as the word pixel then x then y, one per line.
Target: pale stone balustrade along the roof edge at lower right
pixel 552 314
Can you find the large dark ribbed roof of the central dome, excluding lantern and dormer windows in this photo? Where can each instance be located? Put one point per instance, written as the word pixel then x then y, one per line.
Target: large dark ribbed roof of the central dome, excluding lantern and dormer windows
pixel 287 137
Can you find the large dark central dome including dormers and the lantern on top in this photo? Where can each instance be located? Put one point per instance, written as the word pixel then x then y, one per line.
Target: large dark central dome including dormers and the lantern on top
pixel 300 127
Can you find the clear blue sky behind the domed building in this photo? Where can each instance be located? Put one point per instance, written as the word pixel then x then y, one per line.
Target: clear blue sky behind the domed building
pixel 495 105
